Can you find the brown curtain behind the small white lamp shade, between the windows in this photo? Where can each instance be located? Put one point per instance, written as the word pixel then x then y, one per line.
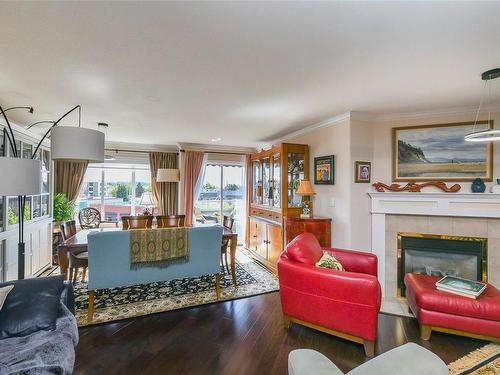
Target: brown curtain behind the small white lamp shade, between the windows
pixel 165 194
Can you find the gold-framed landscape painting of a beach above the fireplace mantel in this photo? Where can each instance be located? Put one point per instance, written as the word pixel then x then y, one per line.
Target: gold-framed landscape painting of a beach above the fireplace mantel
pixel 439 152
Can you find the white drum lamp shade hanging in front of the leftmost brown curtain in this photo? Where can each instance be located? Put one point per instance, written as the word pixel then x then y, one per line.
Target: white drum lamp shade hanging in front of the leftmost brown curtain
pixel 75 143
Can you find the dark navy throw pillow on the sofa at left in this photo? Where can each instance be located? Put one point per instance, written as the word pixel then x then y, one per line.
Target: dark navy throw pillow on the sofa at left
pixel 33 305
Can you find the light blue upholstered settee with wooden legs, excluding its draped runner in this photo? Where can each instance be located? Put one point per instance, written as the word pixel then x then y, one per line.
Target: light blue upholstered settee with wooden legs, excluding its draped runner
pixel 109 261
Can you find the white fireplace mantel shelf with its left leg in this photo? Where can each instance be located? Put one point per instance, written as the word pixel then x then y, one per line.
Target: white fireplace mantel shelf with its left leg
pixel 484 205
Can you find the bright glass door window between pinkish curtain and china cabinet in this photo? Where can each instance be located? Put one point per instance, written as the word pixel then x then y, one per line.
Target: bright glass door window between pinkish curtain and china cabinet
pixel 222 193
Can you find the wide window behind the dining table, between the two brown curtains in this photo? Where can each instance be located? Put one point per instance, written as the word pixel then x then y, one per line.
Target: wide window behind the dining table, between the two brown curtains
pixel 114 189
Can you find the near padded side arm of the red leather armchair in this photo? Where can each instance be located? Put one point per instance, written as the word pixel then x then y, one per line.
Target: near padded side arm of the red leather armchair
pixel 350 287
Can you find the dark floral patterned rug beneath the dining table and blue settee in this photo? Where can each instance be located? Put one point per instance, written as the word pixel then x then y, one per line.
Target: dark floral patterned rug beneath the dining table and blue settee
pixel 122 303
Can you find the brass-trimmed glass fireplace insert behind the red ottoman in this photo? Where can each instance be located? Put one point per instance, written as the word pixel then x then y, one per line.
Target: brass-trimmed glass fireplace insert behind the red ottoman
pixel 440 255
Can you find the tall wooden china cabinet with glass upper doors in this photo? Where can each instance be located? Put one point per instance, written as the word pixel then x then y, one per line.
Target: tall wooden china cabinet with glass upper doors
pixel 276 174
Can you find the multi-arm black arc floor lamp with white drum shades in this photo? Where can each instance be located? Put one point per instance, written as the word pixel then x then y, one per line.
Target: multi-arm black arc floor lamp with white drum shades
pixel 21 177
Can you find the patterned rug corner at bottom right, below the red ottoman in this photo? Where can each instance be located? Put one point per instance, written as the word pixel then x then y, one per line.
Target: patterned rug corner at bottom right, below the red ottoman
pixel 483 361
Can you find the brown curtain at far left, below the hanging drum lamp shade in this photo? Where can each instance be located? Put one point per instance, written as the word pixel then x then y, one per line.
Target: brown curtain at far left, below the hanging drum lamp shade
pixel 68 177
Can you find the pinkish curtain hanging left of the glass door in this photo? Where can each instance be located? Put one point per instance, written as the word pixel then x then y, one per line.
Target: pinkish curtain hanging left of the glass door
pixel 192 165
